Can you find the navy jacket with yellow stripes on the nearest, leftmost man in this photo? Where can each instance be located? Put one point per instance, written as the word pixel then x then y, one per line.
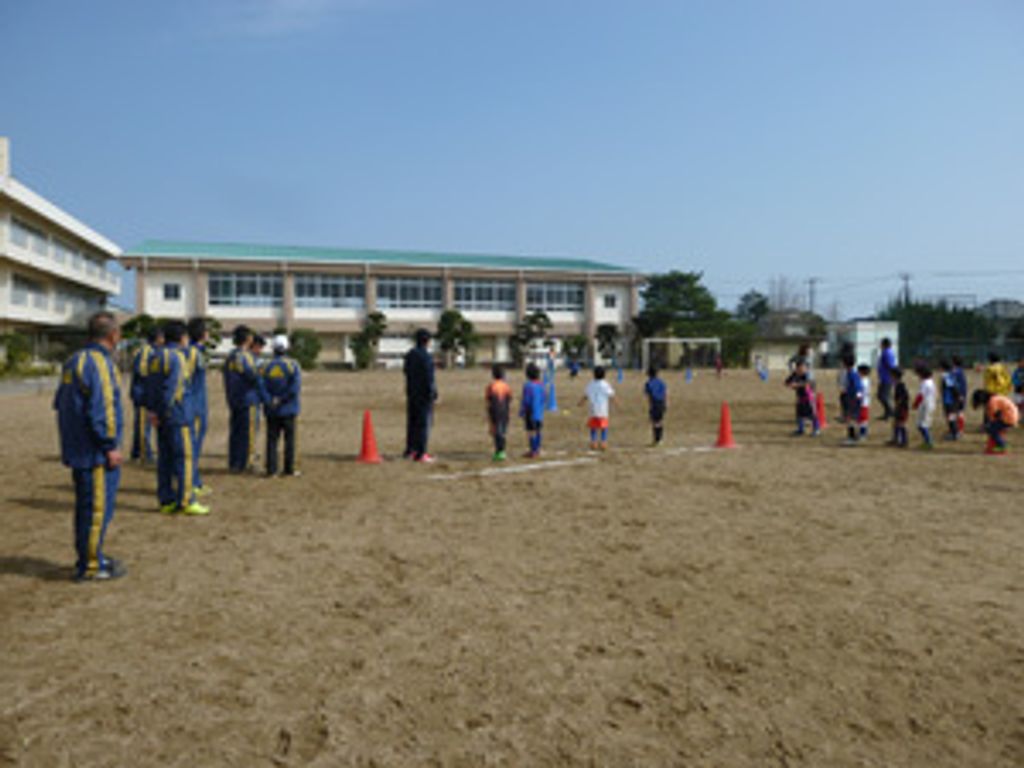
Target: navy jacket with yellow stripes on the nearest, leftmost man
pixel 90 411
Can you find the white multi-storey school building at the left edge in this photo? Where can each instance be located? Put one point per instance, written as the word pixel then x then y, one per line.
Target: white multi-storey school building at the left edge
pixel 55 271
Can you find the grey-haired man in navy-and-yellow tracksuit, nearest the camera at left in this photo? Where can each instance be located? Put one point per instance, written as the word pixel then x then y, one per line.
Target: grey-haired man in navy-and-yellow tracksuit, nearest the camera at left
pixel 92 422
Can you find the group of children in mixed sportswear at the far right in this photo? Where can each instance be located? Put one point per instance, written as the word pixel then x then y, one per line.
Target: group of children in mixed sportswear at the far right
pixel 997 399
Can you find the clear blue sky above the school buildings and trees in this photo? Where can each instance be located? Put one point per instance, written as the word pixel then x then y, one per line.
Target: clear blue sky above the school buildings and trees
pixel 843 141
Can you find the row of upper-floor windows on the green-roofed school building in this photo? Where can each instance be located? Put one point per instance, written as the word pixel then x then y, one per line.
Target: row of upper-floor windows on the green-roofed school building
pixel 329 291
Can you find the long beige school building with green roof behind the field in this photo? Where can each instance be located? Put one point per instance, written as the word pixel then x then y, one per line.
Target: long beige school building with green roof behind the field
pixel 331 291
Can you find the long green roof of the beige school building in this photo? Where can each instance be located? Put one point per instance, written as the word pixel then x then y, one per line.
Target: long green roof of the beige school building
pixel 251 252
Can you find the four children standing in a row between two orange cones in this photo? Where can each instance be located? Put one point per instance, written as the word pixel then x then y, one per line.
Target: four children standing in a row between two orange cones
pixel 599 397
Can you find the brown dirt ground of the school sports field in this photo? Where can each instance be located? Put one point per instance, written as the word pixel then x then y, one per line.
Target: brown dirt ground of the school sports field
pixel 789 604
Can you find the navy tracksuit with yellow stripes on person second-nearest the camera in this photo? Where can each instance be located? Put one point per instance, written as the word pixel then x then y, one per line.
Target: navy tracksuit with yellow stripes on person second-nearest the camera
pixel 172 400
